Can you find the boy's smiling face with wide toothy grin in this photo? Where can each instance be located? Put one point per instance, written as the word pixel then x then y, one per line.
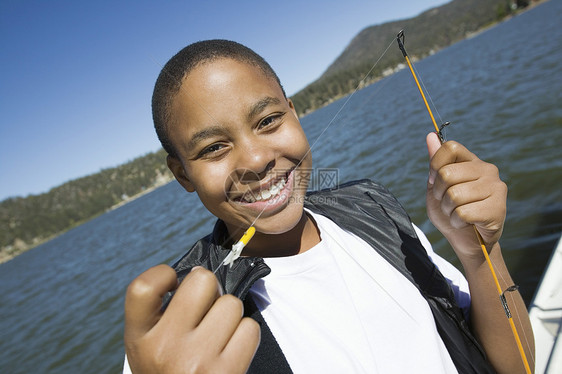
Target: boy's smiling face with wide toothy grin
pixel 240 146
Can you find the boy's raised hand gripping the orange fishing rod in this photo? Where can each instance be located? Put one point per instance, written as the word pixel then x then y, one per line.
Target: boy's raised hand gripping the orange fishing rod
pixel 462 191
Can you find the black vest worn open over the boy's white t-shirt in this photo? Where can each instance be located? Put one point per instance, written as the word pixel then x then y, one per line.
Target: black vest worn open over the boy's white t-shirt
pixel 370 211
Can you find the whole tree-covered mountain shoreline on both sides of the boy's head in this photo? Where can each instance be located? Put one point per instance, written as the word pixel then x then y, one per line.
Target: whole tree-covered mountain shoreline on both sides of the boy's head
pixel 28 221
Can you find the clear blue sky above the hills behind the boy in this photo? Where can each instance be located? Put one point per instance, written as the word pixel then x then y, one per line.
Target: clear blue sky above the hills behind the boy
pixel 77 77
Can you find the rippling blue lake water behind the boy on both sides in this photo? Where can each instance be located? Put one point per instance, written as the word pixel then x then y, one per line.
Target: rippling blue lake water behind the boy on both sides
pixel 62 305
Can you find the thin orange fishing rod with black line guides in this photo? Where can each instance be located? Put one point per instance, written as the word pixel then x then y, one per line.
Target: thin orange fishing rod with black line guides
pixel 400 40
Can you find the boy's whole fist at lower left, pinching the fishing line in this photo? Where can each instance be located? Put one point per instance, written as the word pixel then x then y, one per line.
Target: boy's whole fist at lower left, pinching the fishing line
pixel 201 330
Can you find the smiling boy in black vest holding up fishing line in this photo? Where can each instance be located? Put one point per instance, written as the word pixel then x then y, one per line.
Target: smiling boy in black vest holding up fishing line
pixel 337 281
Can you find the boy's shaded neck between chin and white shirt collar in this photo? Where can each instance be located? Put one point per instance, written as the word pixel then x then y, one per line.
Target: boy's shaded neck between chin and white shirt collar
pixel 299 239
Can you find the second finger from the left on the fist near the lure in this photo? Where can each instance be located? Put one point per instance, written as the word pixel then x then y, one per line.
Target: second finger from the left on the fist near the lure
pixel 197 294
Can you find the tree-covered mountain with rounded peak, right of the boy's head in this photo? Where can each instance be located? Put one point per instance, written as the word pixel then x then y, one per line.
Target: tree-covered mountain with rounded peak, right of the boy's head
pixel 426 33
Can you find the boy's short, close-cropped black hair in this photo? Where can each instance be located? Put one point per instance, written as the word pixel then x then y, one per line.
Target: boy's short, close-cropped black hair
pixel 170 78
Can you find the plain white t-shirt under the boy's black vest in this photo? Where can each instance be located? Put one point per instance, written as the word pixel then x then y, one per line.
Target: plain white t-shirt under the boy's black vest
pixel 341 308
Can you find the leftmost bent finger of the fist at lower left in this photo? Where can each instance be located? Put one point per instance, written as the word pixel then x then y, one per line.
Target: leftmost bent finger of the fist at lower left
pixel 144 299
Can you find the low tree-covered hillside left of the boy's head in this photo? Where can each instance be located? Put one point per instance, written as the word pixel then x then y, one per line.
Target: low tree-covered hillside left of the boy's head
pixel 28 221
